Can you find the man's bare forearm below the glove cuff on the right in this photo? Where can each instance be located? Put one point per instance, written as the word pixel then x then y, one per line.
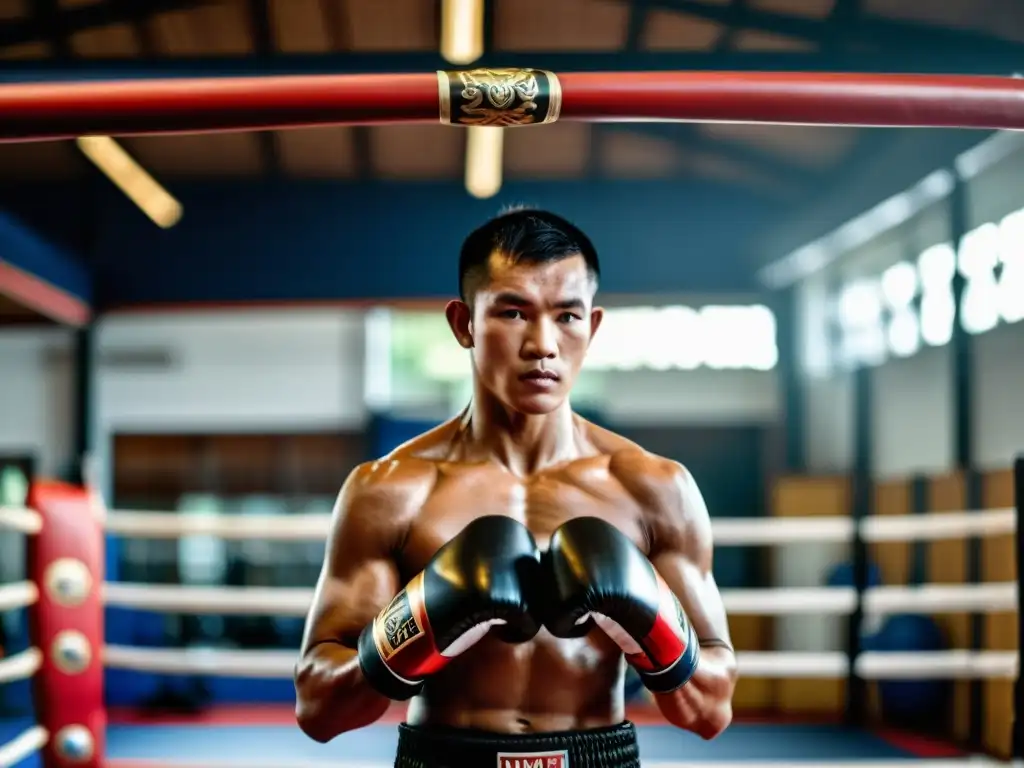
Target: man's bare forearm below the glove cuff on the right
pixel 704 706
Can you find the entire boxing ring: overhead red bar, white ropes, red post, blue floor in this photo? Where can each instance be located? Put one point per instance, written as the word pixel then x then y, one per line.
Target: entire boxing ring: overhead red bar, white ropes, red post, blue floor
pixel 65 527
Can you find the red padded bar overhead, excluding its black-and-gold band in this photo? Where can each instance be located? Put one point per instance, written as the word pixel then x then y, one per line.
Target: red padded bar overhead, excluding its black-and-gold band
pixel 50 111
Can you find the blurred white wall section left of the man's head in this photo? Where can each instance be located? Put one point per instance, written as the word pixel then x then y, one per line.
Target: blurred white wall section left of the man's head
pixel 230 371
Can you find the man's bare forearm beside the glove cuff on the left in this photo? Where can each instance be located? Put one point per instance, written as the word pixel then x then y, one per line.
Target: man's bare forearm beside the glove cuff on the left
pixel 332 696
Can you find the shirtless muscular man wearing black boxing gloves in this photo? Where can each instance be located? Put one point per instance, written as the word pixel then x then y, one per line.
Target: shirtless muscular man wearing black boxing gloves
pixel 501 570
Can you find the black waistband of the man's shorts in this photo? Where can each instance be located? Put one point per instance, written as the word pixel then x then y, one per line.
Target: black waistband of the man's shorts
pixel 613 747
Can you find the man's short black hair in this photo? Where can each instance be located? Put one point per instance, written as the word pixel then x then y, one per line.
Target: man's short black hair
pixel 529 235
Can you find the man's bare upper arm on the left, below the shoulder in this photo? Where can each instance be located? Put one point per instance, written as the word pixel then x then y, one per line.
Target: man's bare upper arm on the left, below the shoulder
pixel 359 576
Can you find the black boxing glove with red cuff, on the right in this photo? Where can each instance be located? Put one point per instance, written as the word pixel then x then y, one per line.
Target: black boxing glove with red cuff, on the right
pixel 600 574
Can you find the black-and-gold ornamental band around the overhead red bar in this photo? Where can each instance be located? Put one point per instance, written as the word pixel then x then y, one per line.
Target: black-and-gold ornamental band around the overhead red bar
pixel 499 98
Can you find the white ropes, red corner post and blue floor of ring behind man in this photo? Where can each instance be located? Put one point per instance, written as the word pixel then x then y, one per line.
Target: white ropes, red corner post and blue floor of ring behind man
pixel 66 528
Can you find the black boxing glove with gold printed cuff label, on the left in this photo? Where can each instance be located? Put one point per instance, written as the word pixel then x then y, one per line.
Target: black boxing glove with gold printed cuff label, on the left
pixel 479 580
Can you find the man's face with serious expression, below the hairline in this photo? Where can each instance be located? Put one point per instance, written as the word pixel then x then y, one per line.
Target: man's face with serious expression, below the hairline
pixel 531 328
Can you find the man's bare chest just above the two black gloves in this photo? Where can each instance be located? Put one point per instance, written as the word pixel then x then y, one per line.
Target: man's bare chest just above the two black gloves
pixel 542 503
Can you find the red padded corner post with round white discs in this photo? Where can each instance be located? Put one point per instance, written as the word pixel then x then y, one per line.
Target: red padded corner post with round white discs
pixel 66 561
